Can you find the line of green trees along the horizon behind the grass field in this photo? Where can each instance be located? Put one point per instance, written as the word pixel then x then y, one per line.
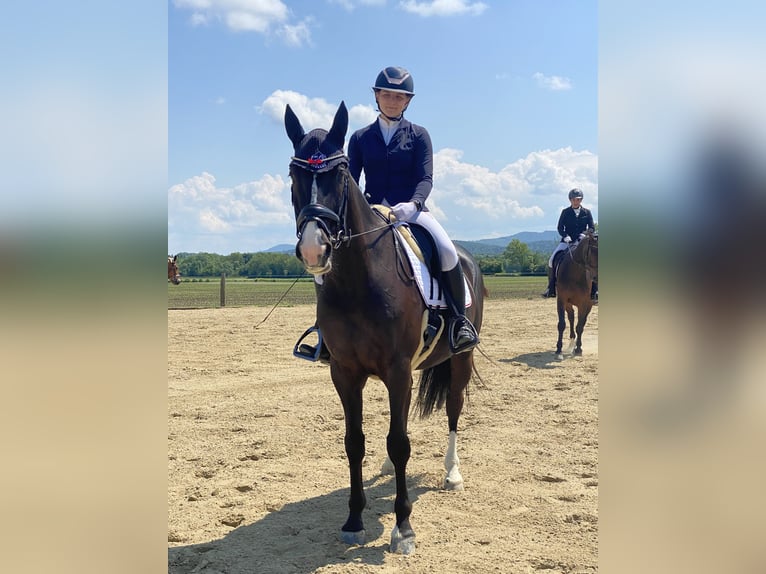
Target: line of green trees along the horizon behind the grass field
pixel 517 258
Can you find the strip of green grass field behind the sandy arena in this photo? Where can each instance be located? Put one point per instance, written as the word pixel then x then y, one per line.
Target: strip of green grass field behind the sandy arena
pixel 206 293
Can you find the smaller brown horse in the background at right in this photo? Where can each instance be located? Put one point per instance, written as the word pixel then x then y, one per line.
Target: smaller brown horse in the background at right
pixel 575 273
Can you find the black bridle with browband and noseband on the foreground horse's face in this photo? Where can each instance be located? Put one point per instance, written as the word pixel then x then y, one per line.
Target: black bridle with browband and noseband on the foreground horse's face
pixel 331 223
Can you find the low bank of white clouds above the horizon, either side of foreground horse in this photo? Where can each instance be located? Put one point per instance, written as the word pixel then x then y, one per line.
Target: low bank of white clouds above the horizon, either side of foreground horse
pixel 471 201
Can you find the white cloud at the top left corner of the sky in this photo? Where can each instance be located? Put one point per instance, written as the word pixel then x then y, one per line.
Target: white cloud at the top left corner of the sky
pixel 260 16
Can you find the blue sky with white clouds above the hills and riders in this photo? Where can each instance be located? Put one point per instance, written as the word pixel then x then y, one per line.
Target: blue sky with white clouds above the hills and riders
pixel 507 90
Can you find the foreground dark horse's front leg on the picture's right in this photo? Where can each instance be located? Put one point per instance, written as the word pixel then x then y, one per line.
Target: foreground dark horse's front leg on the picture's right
pixel 398 446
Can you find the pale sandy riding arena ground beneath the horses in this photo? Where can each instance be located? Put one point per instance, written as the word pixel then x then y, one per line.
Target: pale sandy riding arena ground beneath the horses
pixel 257 473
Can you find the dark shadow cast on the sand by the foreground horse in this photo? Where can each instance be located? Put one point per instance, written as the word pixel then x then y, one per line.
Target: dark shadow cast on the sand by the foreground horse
pixel 300 537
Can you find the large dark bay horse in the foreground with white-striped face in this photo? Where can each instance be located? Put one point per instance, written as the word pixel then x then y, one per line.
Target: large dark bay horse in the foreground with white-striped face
pixel 371 316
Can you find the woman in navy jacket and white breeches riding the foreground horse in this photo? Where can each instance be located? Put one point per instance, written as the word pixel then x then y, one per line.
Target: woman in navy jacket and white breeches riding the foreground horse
pixel 397 159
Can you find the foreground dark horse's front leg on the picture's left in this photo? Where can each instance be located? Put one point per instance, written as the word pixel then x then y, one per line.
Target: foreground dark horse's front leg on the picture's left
pixel 350 393
